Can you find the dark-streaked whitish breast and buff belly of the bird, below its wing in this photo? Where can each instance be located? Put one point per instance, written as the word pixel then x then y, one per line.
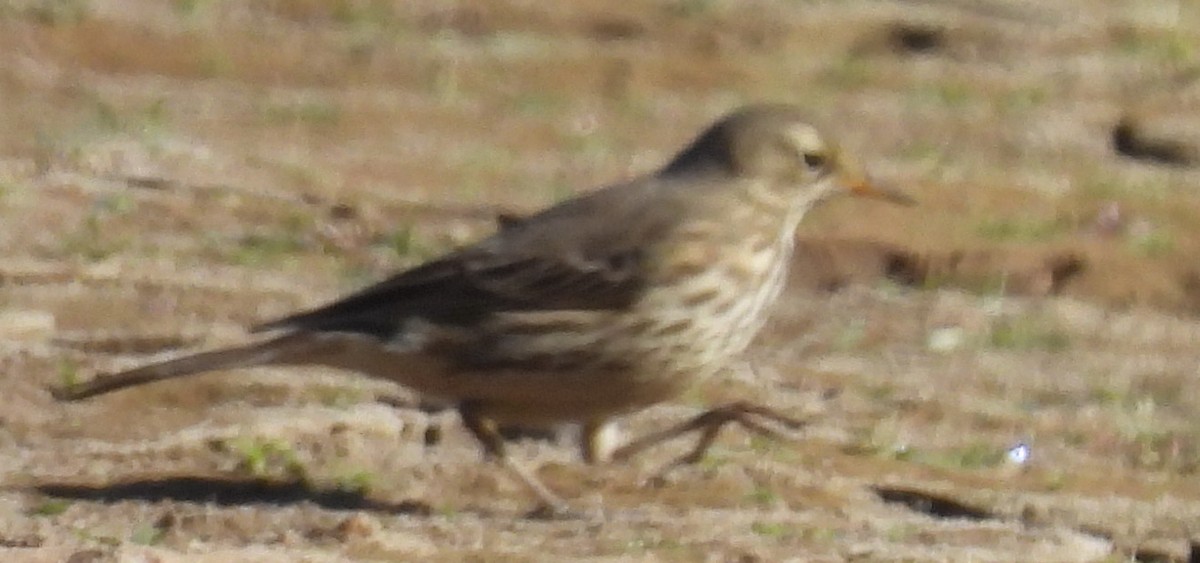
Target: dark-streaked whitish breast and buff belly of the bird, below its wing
pixel 580 366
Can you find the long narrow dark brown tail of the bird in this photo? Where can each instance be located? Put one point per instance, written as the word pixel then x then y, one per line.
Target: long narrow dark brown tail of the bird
pixel 277 351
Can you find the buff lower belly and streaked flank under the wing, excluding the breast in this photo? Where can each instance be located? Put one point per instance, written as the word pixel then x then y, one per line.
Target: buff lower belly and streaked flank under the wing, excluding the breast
pixel 555 367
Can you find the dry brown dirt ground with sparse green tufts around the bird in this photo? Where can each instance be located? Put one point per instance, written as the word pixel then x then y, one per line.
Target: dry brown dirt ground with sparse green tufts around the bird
pixel 171 172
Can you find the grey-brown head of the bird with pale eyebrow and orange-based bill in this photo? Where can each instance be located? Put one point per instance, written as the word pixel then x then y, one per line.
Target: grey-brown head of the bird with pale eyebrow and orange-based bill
pixel 783 153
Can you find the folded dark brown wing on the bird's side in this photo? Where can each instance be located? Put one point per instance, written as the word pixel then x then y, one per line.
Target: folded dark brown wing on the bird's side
pixel 568 257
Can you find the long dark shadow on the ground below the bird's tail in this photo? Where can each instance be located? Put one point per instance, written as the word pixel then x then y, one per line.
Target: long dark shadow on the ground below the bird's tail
pixel 230 493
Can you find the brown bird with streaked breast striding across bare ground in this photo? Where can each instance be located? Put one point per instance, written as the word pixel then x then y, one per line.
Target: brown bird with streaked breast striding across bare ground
pixel 596 308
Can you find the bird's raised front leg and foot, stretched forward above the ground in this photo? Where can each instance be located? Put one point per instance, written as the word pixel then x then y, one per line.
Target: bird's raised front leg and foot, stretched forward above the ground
pixel 710 424
